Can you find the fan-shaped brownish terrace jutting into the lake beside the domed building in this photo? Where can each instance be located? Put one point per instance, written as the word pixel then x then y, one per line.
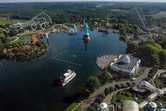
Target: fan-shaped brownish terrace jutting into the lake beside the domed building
pixel 104 61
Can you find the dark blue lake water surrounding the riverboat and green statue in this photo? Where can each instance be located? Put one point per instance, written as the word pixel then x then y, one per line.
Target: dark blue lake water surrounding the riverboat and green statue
pixel 30 86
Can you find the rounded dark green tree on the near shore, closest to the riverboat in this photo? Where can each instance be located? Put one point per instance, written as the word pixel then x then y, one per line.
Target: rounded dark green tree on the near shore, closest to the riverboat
pixel 92 83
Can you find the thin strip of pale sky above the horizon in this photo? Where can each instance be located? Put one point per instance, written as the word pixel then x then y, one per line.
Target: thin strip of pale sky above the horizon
pixel 3 1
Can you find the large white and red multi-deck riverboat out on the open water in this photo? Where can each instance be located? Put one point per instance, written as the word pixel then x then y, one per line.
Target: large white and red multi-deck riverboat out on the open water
pixel 67 77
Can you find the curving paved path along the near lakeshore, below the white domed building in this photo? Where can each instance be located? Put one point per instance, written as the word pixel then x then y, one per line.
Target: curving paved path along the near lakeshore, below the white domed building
pixel 86 104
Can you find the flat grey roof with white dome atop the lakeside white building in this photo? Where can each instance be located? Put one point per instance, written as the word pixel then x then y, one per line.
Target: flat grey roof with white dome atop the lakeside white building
pixel 126 62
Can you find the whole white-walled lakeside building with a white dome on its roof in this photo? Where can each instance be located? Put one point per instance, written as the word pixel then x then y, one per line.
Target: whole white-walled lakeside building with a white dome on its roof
pixel 127 64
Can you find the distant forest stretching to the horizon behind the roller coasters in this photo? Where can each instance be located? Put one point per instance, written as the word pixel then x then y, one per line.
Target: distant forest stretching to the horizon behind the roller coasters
pixel 75 12
